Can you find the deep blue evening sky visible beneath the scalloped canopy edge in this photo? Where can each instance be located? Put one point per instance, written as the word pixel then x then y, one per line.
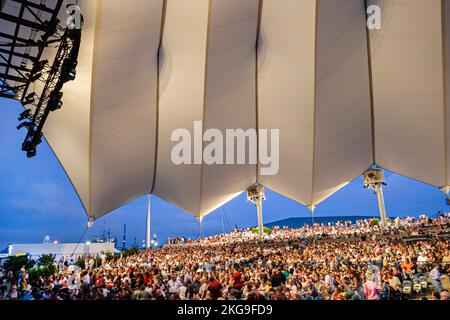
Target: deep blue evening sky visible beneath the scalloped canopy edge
pixel 37 199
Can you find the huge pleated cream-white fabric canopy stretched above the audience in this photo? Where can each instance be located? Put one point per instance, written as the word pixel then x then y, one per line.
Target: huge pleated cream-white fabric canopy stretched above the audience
pixel 342 101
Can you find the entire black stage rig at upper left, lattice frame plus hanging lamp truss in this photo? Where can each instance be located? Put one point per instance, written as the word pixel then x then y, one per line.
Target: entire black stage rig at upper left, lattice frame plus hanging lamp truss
pixel 21 63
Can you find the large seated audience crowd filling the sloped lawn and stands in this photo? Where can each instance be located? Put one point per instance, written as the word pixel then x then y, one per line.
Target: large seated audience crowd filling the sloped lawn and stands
pixel 241 266
